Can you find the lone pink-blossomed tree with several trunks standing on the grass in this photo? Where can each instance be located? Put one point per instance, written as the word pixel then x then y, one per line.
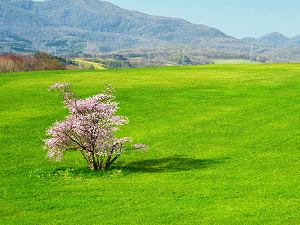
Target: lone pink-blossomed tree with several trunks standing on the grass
pixel 89 128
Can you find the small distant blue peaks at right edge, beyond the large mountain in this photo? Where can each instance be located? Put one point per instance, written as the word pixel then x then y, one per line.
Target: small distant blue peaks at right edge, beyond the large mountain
pixel 275 39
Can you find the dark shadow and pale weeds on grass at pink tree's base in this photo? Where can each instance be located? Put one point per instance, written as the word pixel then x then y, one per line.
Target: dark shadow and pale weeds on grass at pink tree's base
pixel 167 164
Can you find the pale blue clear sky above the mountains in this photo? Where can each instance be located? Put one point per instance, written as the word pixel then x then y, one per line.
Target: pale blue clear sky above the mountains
pixel 237 18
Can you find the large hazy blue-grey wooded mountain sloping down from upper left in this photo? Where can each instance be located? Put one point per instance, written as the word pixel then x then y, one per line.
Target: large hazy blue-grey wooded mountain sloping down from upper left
pixel 79 25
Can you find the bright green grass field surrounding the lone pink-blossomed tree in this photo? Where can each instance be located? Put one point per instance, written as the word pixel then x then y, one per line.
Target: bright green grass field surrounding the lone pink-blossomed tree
pixel 224 146
